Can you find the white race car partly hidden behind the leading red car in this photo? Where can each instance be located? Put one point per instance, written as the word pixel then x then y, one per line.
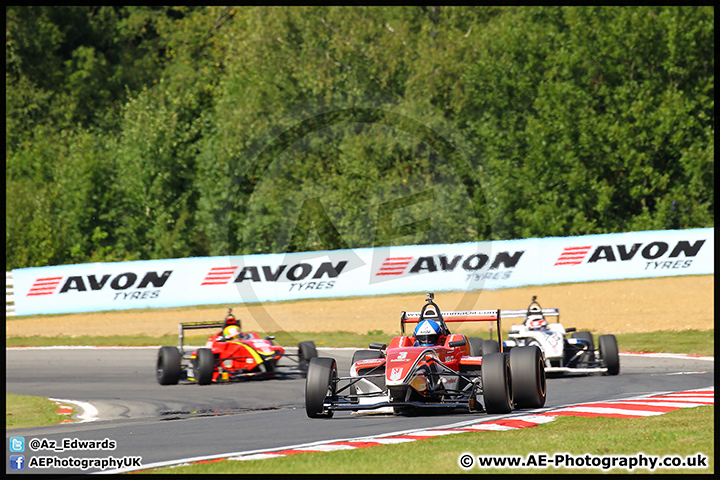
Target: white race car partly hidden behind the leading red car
pixel 576 354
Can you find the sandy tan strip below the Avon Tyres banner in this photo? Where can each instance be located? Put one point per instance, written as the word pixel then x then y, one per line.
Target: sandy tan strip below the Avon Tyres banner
pixel 625 306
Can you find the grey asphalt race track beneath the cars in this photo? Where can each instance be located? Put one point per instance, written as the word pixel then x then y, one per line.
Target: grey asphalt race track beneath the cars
pixel 165 423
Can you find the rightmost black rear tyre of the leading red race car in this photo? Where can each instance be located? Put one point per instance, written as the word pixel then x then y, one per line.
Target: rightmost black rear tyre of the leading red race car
pixel 528 377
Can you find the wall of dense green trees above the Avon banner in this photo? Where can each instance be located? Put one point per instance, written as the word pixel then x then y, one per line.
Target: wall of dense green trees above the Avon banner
pixel 166 132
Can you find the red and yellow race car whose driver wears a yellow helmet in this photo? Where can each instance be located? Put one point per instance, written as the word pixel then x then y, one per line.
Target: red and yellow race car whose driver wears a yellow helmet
pixel 229 355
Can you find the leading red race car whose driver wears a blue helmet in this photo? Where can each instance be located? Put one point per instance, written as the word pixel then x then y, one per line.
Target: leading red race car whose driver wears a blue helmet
pixel 430 369
